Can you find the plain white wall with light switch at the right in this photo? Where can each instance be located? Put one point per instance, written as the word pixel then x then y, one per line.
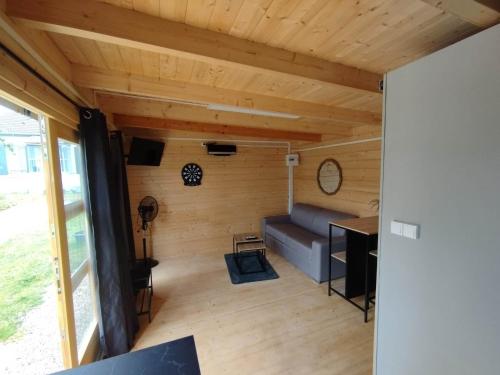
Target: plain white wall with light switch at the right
pixel 438 297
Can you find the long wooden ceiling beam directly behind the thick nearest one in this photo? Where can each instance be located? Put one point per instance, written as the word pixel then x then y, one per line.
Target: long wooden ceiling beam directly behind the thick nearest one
pixel 107 80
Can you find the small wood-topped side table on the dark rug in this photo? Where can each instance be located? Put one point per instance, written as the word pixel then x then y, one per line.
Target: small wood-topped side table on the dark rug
pixel 249 245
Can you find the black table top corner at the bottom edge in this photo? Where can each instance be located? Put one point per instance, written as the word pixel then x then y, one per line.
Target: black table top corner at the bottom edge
pixel 176 357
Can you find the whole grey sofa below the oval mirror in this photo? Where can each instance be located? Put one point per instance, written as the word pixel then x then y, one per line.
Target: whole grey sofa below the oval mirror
pixel 302 239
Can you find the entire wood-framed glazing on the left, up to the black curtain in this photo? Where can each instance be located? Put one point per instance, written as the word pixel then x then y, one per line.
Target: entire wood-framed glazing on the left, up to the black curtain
pixel 47 161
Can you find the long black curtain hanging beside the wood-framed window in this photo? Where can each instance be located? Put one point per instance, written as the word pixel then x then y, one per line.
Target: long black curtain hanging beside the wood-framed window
pixel 118 323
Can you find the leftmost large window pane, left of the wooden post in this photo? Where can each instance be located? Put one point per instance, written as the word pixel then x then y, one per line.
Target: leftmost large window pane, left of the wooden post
pixel 29 308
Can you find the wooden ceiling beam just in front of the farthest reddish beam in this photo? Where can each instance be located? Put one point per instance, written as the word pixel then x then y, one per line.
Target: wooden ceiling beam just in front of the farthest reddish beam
pixel 134 106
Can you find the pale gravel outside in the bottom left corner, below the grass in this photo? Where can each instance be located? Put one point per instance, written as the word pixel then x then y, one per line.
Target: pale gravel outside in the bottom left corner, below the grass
pixel 37 349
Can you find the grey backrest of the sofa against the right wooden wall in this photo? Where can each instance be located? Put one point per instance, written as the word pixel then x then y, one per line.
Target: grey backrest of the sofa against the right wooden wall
pixel 315 219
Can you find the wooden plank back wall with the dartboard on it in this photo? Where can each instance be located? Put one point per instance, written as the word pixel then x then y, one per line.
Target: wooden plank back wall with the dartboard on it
pixel 236 192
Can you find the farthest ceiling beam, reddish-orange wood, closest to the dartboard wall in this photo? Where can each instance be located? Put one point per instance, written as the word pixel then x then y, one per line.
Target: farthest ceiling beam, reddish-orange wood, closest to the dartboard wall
pixel 201 127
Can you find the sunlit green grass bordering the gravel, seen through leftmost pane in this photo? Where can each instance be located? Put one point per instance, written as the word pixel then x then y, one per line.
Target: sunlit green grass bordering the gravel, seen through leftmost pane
pixel 25 272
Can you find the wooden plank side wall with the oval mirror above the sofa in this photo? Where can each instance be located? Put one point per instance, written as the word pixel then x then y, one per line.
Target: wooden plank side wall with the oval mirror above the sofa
pixel 360 165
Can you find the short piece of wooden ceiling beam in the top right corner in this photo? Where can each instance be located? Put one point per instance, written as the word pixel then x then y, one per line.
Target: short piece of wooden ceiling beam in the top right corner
pixel 479 13
